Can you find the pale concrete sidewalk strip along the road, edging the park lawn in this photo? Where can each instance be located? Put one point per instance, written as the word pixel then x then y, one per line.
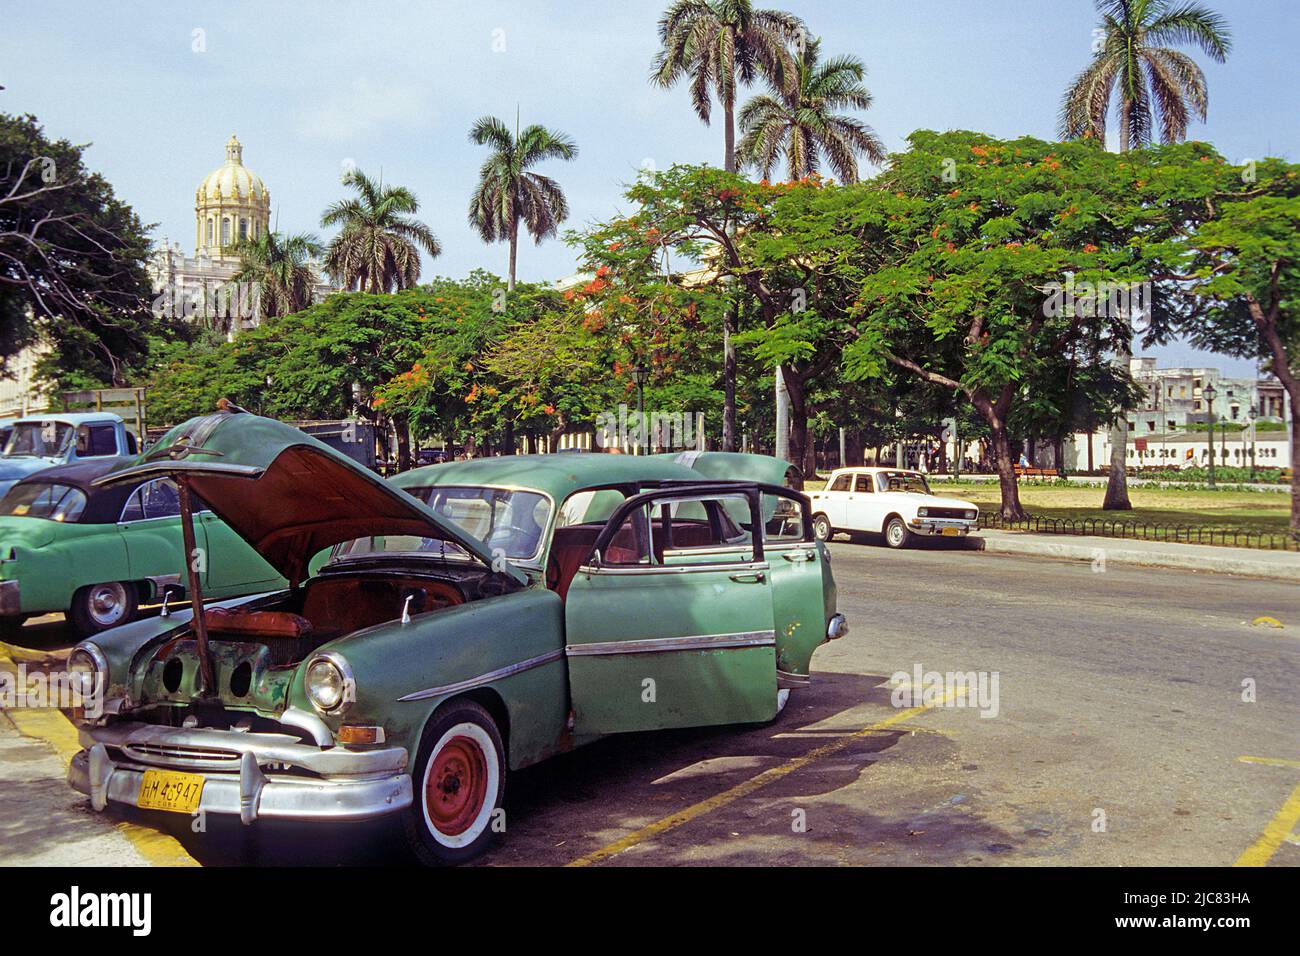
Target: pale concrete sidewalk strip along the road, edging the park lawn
pixel 1238 561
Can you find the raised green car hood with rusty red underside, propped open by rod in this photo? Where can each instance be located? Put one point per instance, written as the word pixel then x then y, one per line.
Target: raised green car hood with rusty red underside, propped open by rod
pixel 288 495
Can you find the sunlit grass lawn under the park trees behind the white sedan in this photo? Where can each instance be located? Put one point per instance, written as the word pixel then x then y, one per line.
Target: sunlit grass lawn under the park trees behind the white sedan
pixel 1259 512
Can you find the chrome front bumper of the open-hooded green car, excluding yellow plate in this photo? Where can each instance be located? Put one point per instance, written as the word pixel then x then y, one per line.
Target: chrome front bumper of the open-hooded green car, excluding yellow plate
pixel 249 776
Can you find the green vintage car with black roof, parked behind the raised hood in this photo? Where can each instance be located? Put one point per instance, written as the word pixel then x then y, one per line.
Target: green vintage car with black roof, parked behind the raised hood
pixel 97 553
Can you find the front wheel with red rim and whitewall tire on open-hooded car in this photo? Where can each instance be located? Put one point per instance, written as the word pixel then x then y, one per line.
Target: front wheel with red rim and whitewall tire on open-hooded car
pixel 460 785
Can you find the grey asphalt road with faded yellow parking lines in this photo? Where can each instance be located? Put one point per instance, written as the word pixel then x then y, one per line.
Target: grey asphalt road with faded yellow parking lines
pixel 1119 738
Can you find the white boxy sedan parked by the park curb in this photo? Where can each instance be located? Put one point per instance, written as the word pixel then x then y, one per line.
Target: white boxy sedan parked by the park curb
pixel 894 503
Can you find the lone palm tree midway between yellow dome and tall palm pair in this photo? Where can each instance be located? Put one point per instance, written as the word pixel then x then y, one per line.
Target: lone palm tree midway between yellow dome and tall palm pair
pixel 508 194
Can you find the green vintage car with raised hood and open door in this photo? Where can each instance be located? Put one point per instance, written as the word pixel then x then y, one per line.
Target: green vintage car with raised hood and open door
pixel 476 620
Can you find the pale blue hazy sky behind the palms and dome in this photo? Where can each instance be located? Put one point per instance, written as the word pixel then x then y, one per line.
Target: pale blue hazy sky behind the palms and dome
pixel 393 86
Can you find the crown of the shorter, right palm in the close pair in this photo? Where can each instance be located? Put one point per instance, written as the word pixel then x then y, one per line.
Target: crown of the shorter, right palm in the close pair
pixel 801 126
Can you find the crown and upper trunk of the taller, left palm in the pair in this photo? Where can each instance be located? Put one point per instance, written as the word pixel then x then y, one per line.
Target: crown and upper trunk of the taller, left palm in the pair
pixel 720 44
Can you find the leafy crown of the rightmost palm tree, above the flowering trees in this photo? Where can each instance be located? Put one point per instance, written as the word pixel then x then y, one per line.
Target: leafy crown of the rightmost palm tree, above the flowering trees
pixel 1136 66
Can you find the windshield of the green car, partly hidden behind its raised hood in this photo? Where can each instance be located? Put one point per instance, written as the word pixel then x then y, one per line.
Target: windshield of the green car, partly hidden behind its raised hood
pixel 509 521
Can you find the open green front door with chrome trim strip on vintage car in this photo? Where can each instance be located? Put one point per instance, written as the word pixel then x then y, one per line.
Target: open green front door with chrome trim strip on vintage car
pixel 670 620
